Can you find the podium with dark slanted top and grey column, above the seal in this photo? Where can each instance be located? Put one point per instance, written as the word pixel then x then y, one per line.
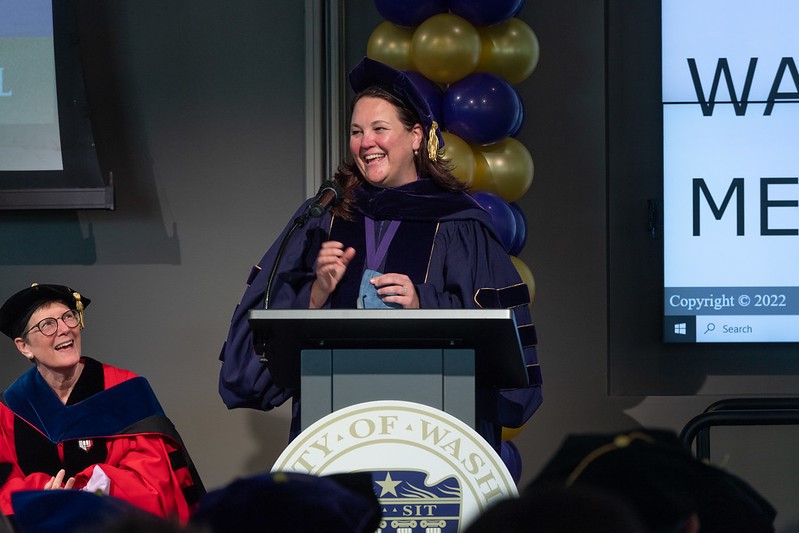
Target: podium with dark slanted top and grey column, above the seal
pixel 435 357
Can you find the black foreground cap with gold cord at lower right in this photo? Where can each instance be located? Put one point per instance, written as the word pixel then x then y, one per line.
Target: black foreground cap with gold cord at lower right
pixel 654 472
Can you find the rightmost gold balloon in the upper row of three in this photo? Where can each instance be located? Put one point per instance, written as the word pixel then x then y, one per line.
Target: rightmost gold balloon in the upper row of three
pixel 509 50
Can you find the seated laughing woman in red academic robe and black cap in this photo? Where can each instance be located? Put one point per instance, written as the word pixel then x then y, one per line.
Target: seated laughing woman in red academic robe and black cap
pixel 71 422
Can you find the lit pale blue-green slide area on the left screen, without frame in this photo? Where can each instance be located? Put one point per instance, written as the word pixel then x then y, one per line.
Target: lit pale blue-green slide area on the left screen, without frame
pixel 29 130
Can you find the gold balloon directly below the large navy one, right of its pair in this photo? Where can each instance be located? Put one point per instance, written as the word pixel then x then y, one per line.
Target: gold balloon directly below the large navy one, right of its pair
pixel 504 168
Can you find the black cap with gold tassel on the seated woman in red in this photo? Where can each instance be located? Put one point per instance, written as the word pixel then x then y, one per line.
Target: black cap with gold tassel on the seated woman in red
pixel 17 310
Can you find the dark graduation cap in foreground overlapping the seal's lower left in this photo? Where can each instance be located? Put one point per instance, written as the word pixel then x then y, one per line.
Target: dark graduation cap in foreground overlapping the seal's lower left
pixel 292 502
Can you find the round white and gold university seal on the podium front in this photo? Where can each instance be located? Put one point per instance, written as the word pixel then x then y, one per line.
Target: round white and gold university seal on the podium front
pixel 431 472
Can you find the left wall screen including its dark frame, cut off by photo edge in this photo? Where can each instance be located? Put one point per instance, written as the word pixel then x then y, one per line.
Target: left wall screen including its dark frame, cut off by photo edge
pixel 48 157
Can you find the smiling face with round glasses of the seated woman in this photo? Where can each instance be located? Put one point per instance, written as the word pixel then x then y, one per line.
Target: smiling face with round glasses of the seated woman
pixel 60 351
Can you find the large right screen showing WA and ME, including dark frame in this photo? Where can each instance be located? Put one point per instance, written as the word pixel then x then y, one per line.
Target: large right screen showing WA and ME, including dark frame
pixel 702 100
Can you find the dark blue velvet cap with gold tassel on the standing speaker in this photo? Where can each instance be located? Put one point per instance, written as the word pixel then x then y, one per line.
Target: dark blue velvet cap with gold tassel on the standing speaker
pixel 370 73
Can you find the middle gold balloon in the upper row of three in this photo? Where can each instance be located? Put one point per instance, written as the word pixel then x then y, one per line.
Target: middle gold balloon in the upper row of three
pixel 445 48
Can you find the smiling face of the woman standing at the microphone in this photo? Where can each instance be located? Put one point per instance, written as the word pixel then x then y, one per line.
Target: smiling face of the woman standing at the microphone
pixel 381 146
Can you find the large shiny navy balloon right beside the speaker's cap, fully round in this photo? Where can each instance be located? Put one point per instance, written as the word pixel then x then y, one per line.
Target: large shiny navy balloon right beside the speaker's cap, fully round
pixel 482 108
